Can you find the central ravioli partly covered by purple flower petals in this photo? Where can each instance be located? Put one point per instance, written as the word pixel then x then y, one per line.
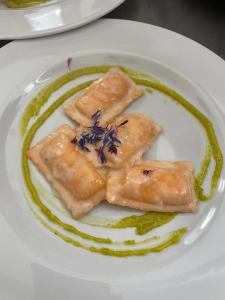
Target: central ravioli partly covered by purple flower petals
pixel 136 135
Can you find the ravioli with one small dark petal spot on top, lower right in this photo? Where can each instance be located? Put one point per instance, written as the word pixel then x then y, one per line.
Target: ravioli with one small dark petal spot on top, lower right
pixel 154 186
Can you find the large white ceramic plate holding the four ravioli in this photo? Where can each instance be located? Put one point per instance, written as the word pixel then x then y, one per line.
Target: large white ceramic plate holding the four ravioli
pixel 37 265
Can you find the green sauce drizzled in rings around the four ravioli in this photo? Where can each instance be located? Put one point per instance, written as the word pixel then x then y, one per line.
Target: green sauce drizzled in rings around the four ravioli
pixel 142 223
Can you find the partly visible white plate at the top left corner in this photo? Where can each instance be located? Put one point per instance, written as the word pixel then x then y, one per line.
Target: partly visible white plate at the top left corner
pixel 51 18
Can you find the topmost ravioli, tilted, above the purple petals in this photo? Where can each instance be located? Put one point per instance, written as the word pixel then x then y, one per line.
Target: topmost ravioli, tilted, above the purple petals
pixel 111 94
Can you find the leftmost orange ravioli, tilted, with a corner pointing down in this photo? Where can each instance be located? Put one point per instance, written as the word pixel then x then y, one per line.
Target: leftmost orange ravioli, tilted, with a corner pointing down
pixel 79 184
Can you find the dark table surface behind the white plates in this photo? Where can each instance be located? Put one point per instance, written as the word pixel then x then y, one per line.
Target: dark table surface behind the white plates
pixel 202 21
